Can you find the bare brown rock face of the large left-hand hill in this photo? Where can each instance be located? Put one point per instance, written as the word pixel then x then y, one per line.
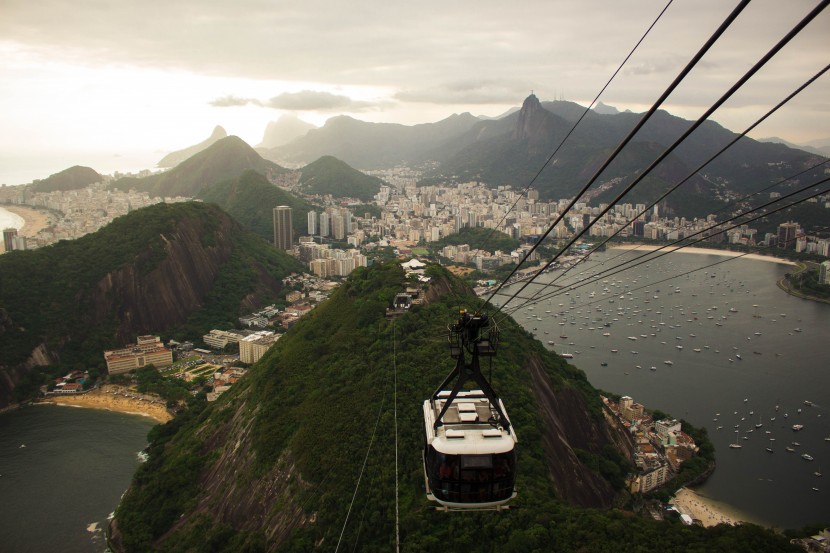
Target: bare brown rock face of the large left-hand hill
pixel 162 286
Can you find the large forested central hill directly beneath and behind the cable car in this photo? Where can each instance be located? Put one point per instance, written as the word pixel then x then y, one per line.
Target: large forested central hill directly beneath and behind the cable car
pixel 274 464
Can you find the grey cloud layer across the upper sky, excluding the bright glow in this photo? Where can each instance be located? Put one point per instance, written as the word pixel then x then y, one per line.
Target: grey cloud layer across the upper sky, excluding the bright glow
pixel 473 52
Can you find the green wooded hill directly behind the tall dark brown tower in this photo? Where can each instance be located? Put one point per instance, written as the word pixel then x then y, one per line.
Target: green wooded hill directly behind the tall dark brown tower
pixel 251 199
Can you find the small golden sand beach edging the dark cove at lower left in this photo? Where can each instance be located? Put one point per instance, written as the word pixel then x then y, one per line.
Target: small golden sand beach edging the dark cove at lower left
pixel 116 398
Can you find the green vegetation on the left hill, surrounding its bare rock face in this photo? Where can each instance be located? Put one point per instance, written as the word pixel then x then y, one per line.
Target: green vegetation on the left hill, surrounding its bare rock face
pixel 52 294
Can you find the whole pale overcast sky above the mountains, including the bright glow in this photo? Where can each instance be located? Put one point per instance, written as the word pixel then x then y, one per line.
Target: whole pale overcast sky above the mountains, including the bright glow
pixel 117 84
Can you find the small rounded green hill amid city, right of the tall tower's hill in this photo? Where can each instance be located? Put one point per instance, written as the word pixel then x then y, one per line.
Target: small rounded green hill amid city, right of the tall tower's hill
pixel 329 175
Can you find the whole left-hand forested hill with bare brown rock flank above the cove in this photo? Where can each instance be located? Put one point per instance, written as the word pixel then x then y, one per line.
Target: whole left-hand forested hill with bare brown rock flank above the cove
pixel 167 268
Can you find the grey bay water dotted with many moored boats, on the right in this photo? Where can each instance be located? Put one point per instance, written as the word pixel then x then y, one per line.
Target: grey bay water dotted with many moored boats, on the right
pixel 716 315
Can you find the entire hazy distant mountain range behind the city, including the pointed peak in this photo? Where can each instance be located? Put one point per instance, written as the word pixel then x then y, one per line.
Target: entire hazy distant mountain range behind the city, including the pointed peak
pixel 512 149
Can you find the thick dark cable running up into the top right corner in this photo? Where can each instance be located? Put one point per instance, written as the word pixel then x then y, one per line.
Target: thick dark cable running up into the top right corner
pixel 755 68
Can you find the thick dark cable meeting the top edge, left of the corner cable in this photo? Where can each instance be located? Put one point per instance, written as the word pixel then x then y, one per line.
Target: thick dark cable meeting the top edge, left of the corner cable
pixel 643 120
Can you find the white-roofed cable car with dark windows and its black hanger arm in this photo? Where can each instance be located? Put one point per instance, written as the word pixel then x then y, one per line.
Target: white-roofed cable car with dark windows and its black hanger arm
pixel 470 450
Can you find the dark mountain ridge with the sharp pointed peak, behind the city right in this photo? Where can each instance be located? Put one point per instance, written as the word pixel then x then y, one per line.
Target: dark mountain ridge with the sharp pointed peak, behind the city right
pixel 512 158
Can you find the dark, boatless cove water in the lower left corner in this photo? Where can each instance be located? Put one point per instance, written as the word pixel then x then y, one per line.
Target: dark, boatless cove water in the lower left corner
pixel 63 471
